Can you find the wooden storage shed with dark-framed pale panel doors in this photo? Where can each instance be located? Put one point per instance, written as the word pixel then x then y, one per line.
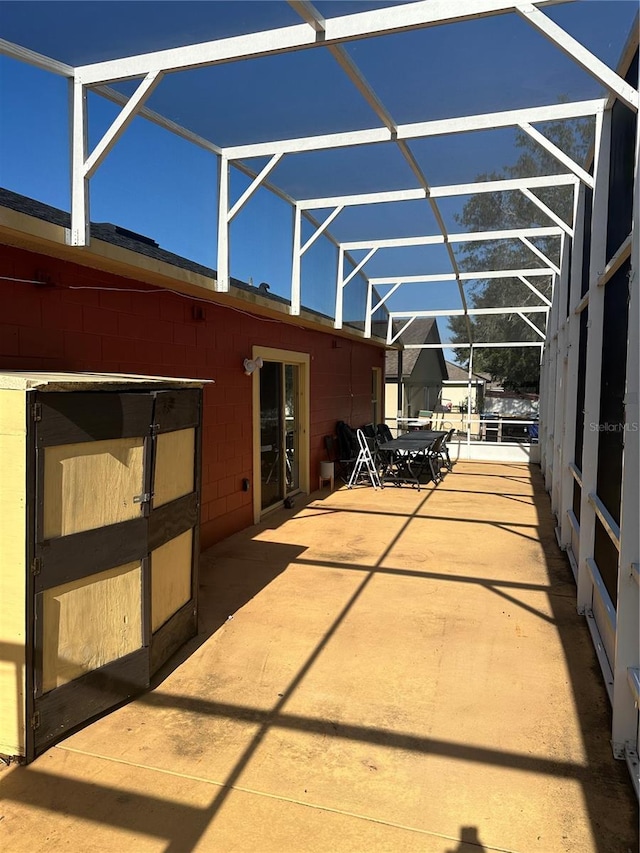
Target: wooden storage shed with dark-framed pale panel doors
pixel 99 501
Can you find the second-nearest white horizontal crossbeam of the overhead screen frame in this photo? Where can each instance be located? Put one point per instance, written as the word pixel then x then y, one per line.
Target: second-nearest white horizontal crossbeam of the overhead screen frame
pixel 417 130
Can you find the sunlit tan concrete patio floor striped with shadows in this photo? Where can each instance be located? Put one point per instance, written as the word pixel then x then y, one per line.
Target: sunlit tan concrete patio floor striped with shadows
pixel 375 671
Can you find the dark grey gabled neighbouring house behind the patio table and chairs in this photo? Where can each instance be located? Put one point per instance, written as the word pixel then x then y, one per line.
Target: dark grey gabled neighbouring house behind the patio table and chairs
pixel 423 372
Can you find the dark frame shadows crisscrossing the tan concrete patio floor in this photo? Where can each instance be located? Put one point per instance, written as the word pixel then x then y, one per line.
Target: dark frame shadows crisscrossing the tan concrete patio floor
pixel 605 786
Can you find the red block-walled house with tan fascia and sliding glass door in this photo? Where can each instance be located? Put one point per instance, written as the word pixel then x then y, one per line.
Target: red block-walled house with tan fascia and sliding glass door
pixel 124 305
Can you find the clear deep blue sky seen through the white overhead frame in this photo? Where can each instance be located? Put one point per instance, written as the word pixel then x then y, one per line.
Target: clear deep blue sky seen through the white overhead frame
pixel 161 186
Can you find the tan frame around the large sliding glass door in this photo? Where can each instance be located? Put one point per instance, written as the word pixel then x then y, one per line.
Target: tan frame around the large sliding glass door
pixel 302 361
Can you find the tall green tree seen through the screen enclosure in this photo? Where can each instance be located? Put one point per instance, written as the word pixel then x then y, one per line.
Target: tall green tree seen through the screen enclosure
pixel 517 368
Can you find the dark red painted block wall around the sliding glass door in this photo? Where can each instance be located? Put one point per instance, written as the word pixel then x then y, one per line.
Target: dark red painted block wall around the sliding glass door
pixel 154 332
